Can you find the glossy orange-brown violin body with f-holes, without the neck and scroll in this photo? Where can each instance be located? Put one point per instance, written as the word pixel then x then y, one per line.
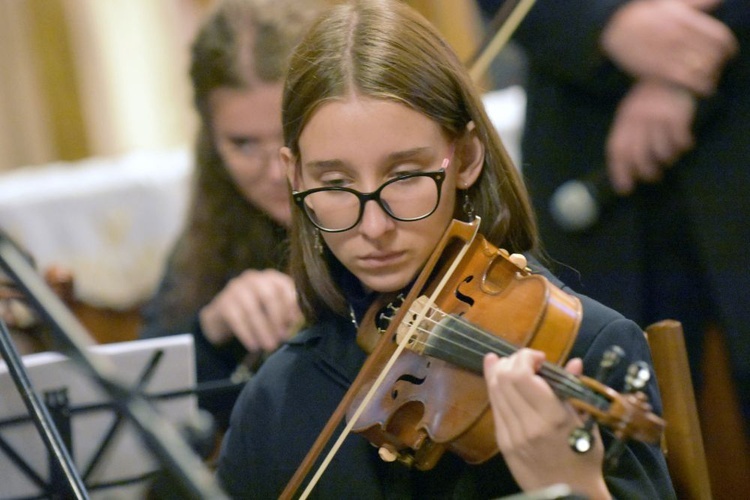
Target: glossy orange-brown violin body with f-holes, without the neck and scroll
pixel 434 397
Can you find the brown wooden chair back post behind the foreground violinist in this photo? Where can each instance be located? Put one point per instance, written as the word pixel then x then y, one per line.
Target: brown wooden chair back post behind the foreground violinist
pixel 682 442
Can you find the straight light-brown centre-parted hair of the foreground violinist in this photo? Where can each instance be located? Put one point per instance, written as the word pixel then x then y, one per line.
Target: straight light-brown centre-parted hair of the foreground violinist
pixel 385 50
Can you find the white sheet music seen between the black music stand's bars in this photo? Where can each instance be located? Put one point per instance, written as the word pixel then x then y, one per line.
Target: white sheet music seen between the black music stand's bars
pixel 126 456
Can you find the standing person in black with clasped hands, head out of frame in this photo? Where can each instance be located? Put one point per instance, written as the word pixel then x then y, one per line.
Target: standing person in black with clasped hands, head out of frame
pixel 651 98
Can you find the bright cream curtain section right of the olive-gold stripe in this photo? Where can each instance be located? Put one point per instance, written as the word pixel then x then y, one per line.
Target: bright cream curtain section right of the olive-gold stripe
pixel 131 57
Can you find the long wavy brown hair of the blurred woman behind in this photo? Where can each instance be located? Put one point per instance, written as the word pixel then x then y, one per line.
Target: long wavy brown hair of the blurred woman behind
pixel 241 44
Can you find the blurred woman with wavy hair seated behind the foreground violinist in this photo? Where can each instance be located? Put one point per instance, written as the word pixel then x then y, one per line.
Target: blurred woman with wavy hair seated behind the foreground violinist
pixel 225 281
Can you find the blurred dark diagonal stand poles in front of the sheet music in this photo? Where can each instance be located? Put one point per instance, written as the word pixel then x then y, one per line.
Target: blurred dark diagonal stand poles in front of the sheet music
pixel 183 467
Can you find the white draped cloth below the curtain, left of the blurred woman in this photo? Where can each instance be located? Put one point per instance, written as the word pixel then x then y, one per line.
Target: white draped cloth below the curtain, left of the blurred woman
pixel 111 221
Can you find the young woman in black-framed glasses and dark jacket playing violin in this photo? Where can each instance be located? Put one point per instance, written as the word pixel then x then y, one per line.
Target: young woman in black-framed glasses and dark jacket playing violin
pixel 387 143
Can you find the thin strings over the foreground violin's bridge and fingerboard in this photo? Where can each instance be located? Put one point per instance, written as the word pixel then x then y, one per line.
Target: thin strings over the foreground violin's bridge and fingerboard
pixel 558 377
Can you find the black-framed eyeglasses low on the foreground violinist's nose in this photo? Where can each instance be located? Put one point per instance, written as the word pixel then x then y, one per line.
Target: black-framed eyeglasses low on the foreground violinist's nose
pixel 406 198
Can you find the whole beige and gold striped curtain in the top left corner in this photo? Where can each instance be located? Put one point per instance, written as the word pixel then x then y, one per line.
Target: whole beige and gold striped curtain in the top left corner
pixel 83 78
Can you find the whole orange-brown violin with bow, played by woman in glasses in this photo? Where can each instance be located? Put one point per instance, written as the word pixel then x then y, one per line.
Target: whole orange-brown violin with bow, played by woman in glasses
pixel 421 391
